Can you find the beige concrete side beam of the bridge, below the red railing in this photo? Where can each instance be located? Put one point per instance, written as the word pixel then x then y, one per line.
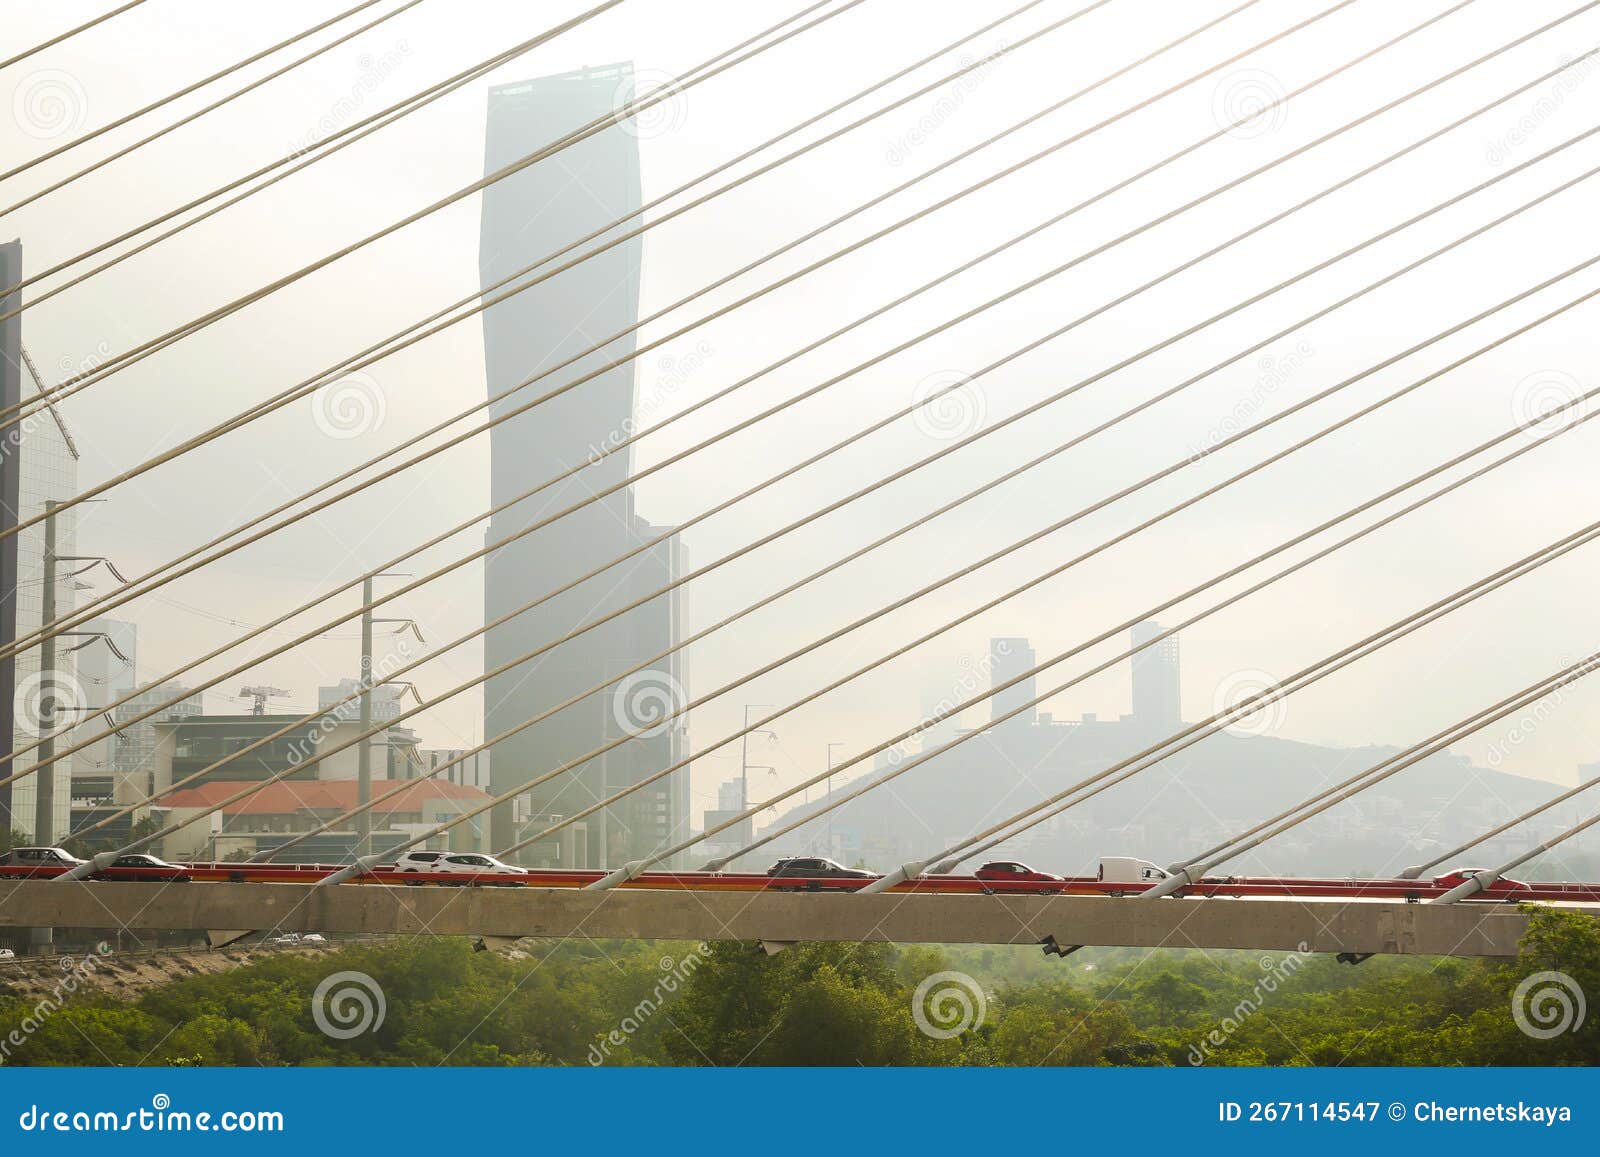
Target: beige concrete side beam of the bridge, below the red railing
pixel 924 919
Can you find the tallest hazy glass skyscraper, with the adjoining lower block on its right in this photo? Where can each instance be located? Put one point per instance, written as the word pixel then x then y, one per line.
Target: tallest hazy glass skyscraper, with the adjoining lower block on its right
pixel 527 218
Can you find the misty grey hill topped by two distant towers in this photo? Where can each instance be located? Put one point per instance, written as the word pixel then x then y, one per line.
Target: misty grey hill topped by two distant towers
pixel 1183 804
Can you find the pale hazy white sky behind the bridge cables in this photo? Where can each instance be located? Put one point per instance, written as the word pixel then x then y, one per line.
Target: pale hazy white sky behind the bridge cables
pixel 1410 691
